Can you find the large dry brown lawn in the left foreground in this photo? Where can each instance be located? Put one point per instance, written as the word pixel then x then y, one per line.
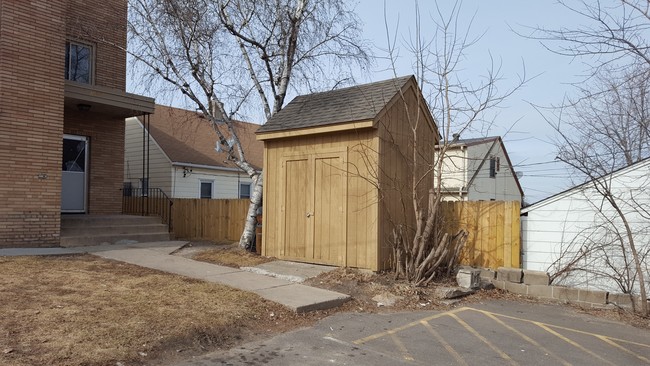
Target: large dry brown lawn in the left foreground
pixel 82 310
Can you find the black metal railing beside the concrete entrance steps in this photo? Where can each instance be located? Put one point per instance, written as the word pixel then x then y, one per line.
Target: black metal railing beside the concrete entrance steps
pixel 148 202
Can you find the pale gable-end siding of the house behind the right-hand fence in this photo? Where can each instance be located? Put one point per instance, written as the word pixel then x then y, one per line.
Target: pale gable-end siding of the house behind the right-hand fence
pixel 503 187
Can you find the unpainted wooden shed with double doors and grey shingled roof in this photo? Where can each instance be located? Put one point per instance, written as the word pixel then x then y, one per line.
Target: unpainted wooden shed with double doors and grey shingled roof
pixel 338 172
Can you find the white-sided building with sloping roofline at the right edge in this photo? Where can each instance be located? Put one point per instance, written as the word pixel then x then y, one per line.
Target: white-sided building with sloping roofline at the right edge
pixel 578 235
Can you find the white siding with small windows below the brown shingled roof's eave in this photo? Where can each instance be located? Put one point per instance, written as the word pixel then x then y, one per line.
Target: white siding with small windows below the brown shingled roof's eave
pixel 225 183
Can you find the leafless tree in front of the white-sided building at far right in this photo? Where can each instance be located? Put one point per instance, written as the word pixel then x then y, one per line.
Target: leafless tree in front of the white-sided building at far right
pixel 605 129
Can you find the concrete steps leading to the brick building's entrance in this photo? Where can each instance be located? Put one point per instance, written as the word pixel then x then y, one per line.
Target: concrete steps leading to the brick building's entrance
pixel 88 230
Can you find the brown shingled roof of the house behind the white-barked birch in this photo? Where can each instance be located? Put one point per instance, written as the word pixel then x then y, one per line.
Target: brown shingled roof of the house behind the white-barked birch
pixel 187 137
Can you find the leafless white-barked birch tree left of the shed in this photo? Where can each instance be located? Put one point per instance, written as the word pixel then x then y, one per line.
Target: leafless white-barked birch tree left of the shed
pixel 228 55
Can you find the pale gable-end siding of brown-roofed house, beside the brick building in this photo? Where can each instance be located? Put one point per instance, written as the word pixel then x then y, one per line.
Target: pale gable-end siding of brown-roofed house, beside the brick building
pixel 160 172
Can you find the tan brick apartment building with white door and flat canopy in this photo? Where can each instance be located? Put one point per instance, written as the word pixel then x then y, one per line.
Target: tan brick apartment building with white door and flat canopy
pixel 62 111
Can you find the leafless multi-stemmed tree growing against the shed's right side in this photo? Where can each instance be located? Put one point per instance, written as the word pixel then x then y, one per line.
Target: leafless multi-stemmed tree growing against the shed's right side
pixel 424 250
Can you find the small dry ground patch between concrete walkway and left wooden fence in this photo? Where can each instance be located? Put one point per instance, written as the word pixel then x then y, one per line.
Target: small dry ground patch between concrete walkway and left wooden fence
pixel 222 253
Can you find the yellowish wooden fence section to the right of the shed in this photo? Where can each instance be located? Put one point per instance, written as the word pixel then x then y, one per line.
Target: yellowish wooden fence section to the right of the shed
pixel 493 227
